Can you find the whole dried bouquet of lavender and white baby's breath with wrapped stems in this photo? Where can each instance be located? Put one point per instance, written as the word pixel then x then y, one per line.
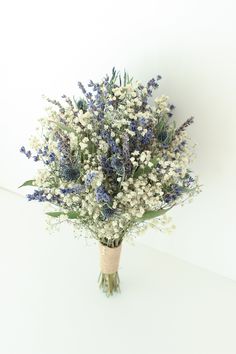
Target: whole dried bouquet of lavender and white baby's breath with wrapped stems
pixel 111 163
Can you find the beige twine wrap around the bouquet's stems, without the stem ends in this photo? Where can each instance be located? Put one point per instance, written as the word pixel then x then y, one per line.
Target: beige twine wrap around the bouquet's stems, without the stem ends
pixel 109 259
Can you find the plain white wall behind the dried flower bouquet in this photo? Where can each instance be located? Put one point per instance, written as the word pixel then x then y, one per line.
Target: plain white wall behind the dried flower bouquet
pixel 46 47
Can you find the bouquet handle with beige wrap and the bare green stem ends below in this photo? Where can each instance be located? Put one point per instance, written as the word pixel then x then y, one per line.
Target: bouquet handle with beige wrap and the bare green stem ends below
pixel 109 280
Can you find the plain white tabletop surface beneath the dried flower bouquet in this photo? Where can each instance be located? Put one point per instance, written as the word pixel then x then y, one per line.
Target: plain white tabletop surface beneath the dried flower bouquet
pixel 50 302
